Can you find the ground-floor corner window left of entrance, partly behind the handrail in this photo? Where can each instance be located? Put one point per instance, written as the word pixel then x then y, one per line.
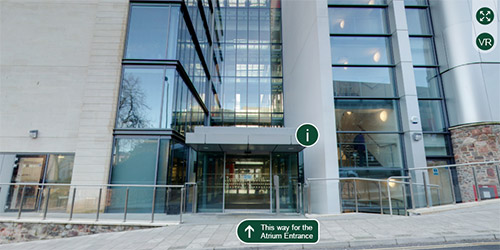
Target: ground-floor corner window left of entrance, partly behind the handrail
pixel 147 161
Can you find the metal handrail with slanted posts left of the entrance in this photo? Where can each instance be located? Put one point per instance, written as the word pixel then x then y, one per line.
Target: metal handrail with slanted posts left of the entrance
pixel 100 186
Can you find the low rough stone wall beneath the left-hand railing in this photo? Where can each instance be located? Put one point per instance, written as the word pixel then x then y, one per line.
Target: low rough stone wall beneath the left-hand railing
pixel 11 232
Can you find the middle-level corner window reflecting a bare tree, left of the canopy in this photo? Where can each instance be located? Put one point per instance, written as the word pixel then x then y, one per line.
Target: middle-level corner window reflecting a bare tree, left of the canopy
pixel 157 97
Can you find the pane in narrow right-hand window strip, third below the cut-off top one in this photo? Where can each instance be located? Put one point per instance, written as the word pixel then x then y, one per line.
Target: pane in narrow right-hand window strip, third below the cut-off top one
pixel 427 82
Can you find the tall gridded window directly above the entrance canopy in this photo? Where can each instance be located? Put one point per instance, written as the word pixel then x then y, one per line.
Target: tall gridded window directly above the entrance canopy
pixel 252 77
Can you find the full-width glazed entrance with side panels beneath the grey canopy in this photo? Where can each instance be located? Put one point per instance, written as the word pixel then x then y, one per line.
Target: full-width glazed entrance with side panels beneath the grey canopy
pixel 235 181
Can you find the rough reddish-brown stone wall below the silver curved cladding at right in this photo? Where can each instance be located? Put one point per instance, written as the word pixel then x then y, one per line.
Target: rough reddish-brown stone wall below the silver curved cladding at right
pixel 477 143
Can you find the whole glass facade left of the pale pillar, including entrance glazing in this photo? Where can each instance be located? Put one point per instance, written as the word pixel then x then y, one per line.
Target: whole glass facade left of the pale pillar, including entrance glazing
pixel 197 63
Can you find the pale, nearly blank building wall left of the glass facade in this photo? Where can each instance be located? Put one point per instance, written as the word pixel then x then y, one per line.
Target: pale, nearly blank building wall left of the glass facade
pixel 60 66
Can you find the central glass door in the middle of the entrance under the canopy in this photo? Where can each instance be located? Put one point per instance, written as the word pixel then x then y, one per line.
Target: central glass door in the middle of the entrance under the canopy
pixel 247 182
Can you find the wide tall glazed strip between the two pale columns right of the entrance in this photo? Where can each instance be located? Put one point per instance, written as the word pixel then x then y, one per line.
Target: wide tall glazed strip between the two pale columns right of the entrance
pixel 366 99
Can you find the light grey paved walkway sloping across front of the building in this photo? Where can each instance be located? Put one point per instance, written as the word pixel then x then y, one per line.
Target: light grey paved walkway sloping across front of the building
pixel 476 222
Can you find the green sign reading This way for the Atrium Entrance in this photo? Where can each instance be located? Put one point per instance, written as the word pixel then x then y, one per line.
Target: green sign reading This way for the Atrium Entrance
pixel 276 231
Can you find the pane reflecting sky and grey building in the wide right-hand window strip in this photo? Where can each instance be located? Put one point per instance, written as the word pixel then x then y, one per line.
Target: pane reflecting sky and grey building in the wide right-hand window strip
pixel 363 81
